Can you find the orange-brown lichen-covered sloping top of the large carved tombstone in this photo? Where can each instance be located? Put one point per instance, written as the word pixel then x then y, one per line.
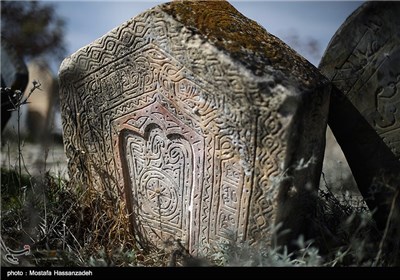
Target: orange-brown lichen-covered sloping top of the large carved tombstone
pixel 244 39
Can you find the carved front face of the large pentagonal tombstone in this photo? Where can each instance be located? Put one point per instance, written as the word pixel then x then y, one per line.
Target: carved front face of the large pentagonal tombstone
pixel 173 123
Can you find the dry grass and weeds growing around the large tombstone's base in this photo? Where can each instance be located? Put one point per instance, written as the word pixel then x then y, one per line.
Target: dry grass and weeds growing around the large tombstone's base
pixel 69 226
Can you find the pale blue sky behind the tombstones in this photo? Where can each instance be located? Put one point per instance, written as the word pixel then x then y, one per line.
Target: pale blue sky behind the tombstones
pixel 295 22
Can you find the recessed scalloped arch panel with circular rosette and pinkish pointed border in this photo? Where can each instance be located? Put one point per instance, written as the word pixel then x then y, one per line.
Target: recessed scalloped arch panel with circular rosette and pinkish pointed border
pixel 158 155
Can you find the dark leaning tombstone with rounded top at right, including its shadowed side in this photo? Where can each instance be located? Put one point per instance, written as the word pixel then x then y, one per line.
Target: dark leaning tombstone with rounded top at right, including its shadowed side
pixel 363 62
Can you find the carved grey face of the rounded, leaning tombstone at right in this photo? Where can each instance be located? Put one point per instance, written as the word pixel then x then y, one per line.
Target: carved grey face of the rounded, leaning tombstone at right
pixel 367 69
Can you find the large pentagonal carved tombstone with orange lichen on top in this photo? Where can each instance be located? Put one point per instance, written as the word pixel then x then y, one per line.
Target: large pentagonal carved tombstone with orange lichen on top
pixel 206 125
